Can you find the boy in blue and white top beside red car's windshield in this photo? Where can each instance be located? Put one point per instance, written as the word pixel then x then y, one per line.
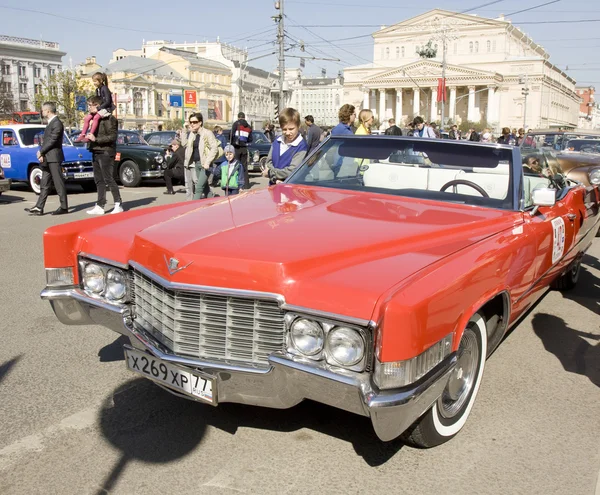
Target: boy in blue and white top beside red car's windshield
pixel 288 150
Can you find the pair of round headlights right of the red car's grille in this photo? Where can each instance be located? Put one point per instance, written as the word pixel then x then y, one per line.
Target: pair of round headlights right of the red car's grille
pixel 339 345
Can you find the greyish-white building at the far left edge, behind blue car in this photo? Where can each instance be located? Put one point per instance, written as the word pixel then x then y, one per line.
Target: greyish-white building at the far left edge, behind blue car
pixel 24 64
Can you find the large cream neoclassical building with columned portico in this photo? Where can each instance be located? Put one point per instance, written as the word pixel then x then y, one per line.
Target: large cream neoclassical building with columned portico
pixel 488 63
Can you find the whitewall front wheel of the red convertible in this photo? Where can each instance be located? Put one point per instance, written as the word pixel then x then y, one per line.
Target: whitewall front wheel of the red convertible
pixel 449 413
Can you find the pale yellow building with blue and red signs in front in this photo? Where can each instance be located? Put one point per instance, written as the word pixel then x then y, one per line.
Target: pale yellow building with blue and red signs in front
pixel 145 87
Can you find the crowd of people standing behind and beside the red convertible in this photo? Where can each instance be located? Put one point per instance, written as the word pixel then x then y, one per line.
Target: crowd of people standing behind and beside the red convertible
pixel 199 157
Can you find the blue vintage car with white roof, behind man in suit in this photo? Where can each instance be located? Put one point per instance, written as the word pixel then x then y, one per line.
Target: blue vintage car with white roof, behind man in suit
pixel 18 147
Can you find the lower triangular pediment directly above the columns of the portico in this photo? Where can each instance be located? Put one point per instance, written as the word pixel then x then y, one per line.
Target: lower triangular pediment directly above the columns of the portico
pixel 426 69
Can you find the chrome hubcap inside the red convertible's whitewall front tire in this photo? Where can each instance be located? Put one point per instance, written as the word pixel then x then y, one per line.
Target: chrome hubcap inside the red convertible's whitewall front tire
pixel 462 378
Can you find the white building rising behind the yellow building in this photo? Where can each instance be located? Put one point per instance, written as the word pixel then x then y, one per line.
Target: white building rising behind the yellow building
pixel 250 87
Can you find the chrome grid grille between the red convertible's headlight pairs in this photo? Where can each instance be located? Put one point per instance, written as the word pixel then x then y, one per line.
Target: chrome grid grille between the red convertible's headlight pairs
pixel 208 326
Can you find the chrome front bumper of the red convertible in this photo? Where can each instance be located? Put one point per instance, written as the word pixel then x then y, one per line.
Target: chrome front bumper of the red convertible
pixel 286 382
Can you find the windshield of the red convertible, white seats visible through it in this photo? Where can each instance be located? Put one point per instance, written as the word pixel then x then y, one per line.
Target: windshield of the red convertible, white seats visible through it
pixel 436 170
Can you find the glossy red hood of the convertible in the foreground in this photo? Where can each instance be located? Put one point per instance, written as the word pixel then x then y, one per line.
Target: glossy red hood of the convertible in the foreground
pixel 330 250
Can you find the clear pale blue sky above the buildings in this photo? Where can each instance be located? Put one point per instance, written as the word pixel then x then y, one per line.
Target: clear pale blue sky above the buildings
pixel 97 28
